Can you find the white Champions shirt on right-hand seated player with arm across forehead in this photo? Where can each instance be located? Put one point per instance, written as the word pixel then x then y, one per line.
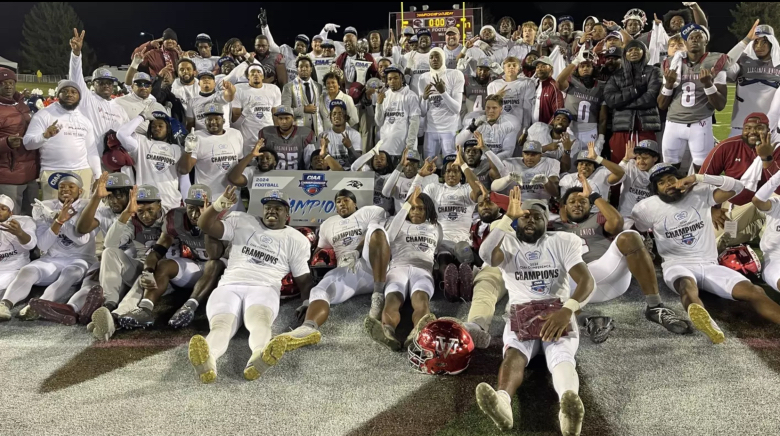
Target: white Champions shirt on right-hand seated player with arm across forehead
pixel 683 230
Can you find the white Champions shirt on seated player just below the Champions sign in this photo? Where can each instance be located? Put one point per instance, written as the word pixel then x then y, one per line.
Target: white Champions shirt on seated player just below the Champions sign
pixel 344 235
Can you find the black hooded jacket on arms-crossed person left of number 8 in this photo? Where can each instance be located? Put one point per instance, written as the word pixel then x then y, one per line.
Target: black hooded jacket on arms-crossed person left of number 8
pixel 633 92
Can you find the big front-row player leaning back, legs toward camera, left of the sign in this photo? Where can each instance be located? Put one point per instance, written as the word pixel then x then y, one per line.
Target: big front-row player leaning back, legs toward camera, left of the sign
pixel 263 251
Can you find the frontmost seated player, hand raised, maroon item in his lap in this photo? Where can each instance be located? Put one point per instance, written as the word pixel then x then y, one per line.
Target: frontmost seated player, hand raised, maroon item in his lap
pixel 536 266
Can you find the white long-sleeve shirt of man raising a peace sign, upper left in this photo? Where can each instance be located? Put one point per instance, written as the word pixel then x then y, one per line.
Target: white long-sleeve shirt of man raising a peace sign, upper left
pixel 104 114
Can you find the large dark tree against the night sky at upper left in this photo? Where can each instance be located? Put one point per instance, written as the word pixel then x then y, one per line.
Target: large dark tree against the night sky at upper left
pixel 47 29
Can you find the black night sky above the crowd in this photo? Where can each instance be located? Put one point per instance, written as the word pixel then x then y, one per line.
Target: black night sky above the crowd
pixel 114 38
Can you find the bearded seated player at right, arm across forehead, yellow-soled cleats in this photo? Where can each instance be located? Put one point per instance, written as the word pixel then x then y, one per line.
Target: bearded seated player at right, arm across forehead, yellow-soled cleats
pixel 679 213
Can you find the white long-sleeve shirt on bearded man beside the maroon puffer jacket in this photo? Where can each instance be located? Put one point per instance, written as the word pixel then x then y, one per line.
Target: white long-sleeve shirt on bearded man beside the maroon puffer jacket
pixel 73 148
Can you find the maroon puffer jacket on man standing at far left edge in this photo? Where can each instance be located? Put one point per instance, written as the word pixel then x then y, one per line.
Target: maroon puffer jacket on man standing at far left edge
pixel 17 166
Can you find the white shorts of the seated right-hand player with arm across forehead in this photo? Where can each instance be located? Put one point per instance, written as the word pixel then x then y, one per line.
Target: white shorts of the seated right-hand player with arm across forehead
pixel 710 277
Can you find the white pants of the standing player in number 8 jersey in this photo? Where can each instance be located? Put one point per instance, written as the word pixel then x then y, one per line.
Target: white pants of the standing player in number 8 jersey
pixel 697 136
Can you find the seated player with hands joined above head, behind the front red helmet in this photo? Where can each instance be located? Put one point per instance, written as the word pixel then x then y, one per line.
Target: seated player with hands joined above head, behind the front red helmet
pixel 414 235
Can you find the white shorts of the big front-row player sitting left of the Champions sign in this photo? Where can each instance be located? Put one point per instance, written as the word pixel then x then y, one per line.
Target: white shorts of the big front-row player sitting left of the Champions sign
pixel 235 299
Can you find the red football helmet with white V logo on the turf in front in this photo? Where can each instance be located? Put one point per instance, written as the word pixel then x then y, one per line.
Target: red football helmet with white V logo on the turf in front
pixel 442 347
